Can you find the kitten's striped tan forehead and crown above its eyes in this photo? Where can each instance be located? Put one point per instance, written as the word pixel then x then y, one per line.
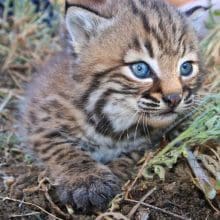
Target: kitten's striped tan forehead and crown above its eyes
pixel 154 25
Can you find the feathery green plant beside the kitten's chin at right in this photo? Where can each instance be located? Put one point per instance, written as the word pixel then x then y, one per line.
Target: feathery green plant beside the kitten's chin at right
pixel 205 126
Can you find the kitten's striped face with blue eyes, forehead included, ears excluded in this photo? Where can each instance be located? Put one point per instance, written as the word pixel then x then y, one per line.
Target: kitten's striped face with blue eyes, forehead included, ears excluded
pixel 150 65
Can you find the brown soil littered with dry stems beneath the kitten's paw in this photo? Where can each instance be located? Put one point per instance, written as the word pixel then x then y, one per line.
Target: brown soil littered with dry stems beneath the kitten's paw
pixel 24 196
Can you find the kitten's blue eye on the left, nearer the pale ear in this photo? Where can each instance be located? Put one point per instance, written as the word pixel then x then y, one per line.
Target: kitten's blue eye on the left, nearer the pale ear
pixel 141 70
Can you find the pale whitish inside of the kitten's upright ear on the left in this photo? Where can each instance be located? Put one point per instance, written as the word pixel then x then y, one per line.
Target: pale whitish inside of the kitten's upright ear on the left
pixel 83 25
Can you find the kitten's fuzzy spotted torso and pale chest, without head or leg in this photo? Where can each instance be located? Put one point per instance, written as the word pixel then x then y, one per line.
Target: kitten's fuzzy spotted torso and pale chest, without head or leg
pixel 50 105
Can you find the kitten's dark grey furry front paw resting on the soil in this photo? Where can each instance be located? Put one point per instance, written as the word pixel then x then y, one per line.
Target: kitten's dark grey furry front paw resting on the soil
pixel 91 192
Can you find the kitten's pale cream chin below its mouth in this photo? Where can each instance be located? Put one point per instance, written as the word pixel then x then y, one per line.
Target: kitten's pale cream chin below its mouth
pixel 161 121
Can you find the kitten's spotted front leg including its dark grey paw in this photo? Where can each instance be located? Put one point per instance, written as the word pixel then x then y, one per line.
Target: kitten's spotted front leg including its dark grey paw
pixel 81 181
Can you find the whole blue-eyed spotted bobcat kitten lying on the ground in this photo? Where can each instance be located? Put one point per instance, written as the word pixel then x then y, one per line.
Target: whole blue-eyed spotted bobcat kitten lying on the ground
pixel 120 76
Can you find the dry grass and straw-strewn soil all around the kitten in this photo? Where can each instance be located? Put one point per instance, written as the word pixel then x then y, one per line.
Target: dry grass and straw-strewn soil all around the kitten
pixel 25 191
